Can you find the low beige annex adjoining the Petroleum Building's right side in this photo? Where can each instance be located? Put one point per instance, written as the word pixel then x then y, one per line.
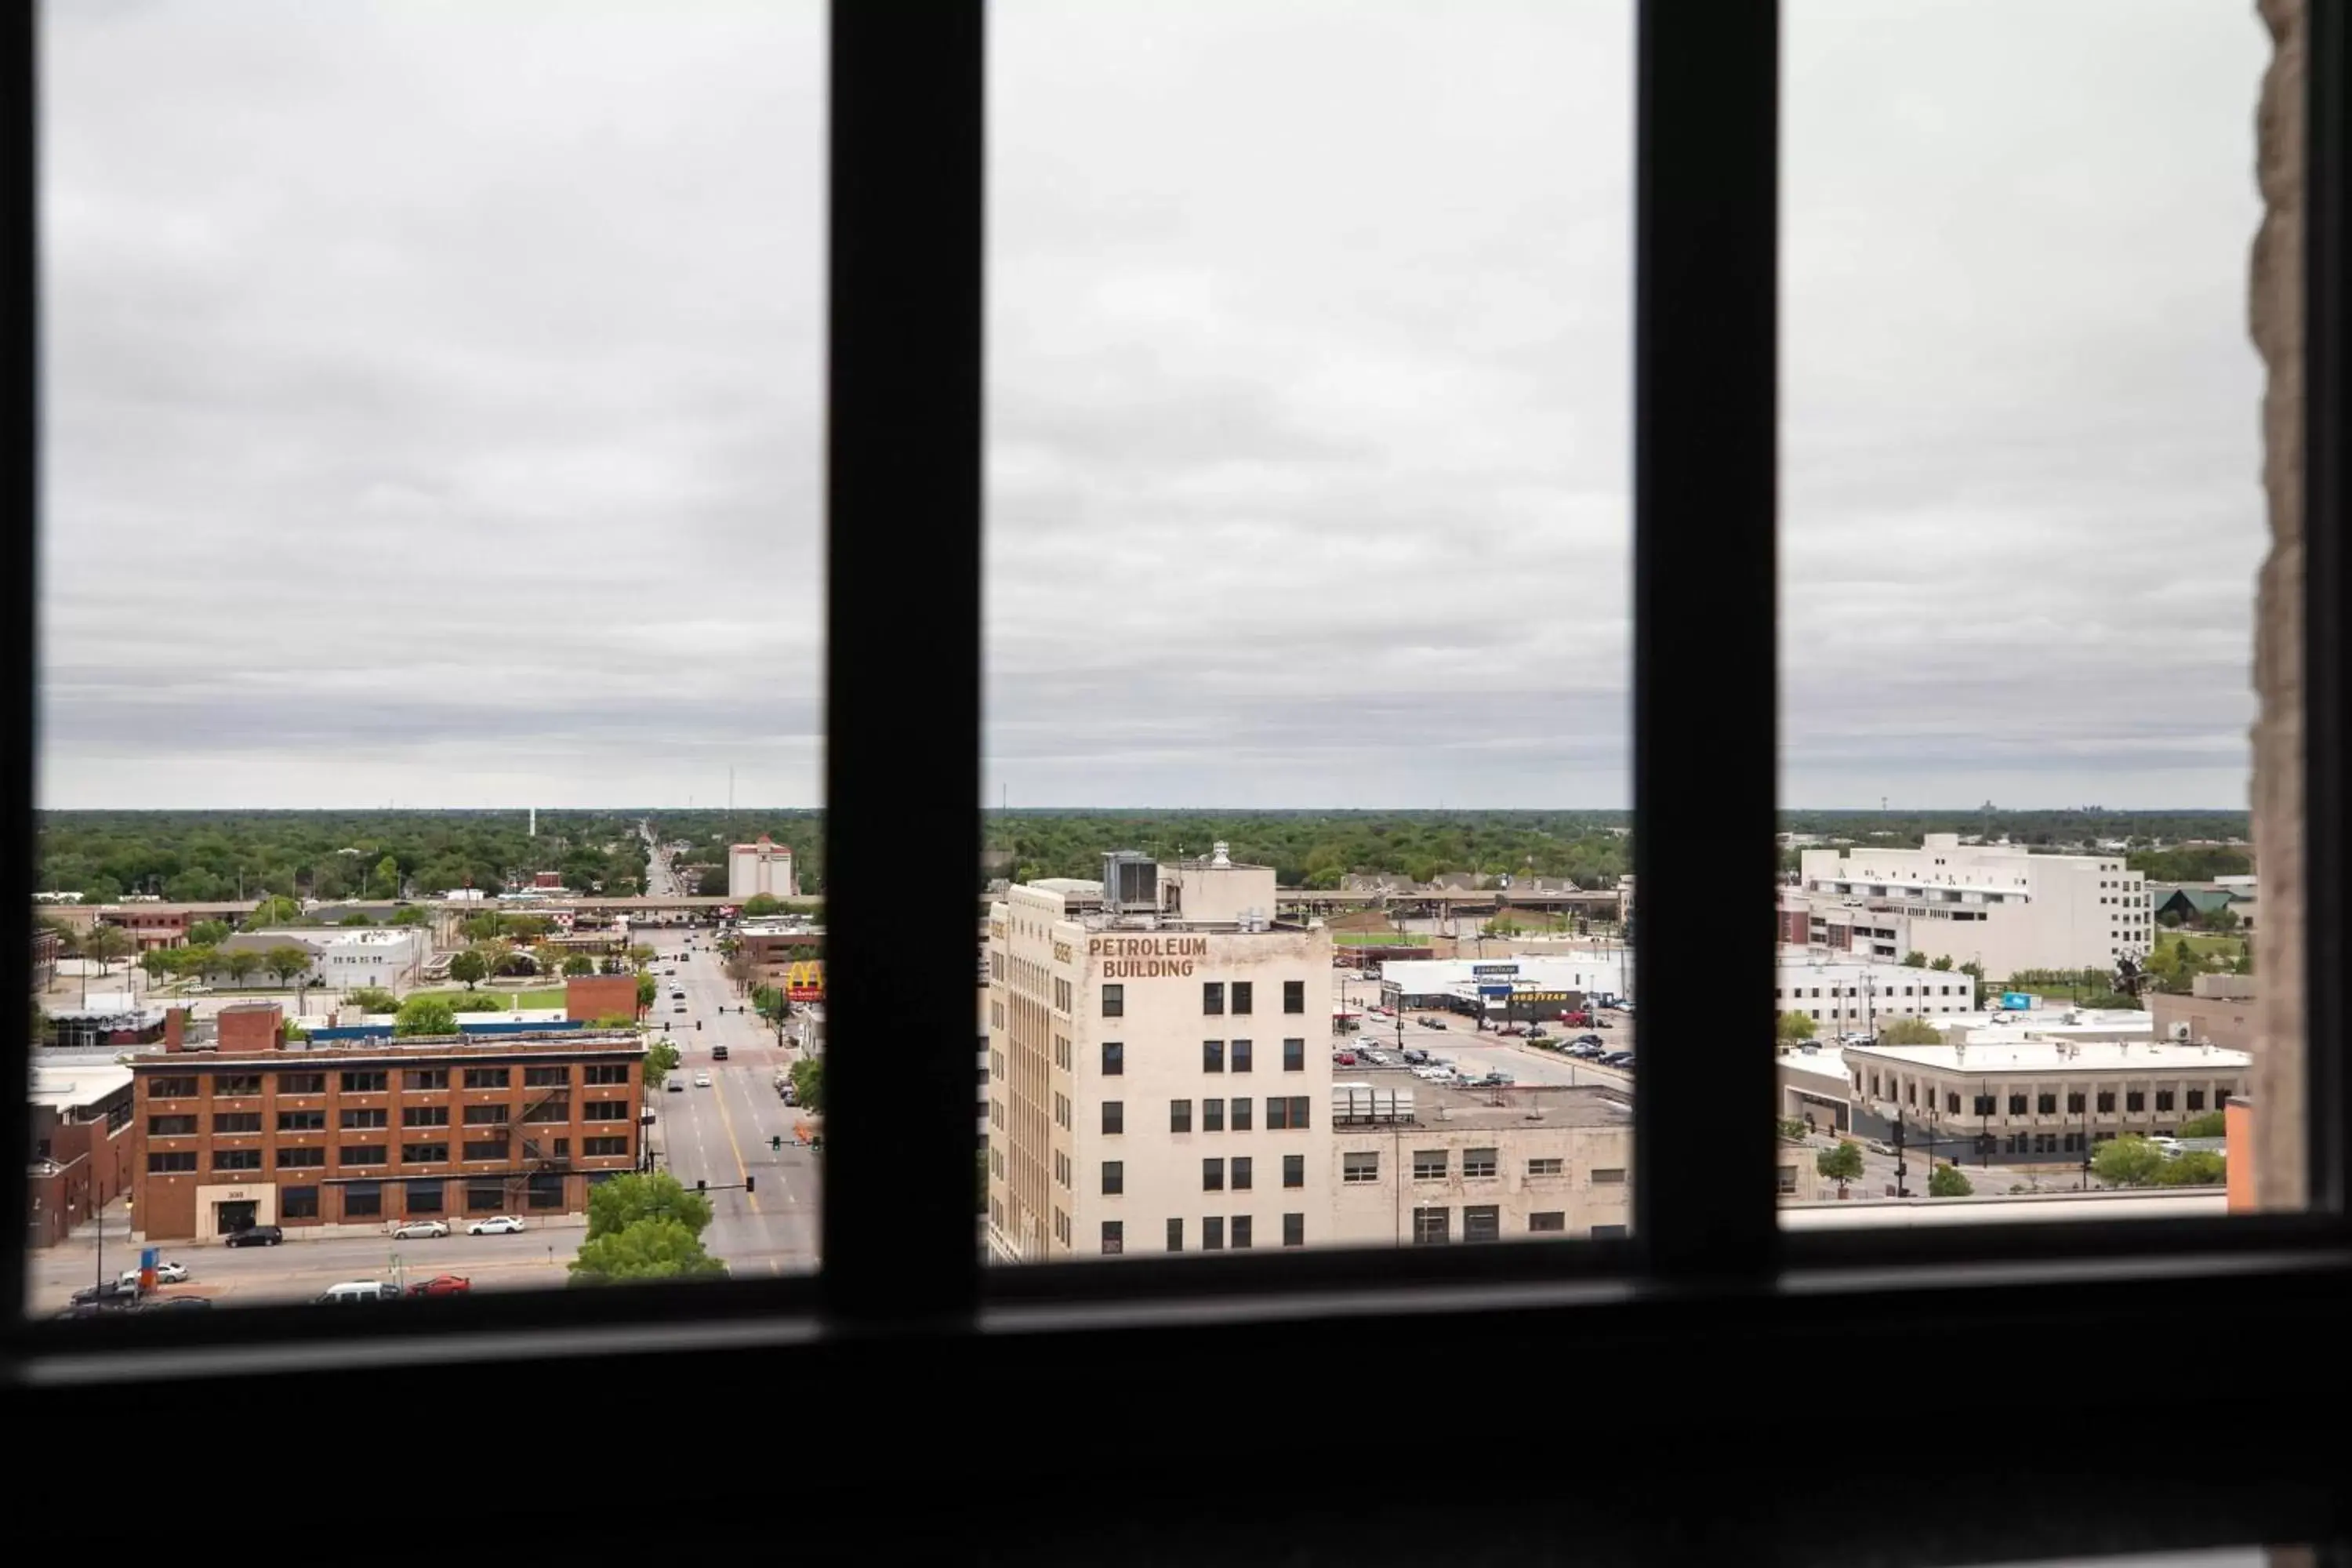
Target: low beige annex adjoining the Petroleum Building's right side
pixel 1422 1167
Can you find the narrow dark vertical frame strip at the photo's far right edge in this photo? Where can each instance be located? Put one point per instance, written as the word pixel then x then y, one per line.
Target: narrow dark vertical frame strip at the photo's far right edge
pixel 2327 591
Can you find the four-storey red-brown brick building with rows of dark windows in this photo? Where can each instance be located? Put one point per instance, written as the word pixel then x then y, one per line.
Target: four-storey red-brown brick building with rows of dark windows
pixel 366 1134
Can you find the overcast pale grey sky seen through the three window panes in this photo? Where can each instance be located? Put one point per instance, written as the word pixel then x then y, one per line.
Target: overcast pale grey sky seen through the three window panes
pixel 434 403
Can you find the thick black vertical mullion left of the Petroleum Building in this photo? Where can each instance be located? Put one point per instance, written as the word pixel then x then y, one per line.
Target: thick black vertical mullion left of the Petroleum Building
pixel 902 657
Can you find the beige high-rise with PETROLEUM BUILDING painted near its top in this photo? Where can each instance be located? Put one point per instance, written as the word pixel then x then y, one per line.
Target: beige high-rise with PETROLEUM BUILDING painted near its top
pixel 1161 1066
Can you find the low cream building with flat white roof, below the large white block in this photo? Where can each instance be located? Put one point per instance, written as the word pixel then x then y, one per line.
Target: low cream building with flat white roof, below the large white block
pixel 2038 1099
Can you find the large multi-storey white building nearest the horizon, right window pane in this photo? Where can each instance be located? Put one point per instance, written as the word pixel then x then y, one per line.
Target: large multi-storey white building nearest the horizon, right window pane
pixel 1989 904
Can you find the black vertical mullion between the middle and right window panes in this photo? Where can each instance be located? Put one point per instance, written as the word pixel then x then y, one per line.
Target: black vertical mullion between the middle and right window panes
pixel 1706 342
